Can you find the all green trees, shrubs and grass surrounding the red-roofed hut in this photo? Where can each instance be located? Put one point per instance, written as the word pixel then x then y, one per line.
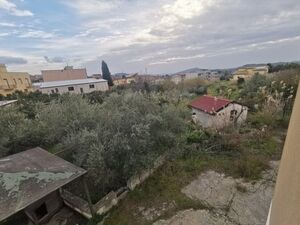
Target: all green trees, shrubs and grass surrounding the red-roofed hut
pixel 117 134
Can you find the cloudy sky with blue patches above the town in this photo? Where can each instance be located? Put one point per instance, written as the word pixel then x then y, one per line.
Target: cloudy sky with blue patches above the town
pixel 157 36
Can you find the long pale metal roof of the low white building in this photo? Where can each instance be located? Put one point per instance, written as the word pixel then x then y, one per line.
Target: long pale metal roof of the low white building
pixel 68 82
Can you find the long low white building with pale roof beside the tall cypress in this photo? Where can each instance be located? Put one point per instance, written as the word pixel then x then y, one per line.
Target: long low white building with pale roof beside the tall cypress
pixel 72 86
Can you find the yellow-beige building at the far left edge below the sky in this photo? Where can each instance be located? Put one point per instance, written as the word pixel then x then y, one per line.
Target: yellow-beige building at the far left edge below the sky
pixel 13 81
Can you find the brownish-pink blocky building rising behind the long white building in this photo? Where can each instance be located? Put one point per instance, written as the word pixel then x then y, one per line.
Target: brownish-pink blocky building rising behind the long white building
pixel 68 73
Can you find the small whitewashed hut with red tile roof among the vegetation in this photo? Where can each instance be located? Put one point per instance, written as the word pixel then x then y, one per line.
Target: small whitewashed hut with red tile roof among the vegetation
pixel 216 113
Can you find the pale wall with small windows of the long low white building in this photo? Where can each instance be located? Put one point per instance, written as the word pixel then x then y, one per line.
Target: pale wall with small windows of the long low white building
pixel 98 86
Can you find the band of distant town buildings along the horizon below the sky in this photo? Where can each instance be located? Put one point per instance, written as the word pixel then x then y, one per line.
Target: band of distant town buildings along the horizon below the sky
pixel 76 80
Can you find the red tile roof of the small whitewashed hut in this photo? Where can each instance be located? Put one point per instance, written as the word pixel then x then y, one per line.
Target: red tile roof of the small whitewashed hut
pixel 209 104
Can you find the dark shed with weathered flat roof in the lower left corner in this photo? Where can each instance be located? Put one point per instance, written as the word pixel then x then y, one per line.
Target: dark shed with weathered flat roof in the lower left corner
pixel 30 185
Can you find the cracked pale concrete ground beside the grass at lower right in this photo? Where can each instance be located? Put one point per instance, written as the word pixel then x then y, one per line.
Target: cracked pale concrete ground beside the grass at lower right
pixel 231 201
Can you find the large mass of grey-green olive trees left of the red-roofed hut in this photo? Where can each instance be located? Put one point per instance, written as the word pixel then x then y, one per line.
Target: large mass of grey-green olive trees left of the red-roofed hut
pixel 113 140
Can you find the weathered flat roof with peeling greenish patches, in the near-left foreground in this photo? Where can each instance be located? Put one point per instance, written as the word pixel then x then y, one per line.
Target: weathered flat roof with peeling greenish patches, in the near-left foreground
pixel 28 176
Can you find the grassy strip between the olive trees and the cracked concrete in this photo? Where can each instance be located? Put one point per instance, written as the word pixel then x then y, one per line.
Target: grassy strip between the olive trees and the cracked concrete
pixel 247 160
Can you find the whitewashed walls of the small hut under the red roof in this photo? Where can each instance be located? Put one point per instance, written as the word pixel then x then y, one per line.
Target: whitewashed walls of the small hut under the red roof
pixel 221 118
